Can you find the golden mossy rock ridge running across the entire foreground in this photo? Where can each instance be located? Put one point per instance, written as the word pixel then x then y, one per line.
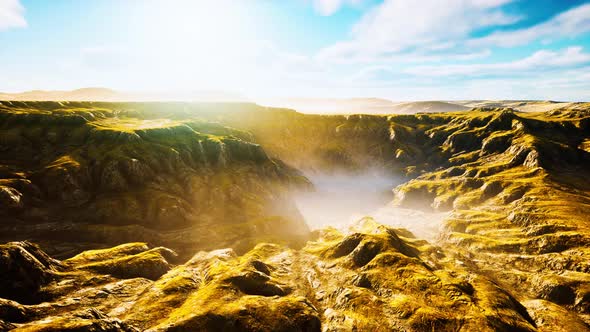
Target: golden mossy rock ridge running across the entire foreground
pixel 368 278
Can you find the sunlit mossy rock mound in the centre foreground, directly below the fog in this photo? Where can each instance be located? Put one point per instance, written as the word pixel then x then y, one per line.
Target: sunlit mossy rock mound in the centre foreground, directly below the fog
pixel 401 271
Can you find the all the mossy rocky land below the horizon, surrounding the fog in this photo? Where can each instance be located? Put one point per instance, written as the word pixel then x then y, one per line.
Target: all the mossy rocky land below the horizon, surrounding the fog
pixel 160 190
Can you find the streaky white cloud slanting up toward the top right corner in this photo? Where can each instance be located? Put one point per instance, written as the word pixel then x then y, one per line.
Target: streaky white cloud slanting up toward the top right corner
pixel 567 24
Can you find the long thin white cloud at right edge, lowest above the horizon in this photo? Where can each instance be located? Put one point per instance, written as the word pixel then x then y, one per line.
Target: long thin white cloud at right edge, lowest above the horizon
pixel 539 61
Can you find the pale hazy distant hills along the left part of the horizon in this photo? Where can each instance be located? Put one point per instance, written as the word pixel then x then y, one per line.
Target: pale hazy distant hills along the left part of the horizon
pixel 105 94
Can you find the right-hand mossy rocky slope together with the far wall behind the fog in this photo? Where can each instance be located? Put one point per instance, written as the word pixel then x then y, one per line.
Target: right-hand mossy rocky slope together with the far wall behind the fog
pixel 517 186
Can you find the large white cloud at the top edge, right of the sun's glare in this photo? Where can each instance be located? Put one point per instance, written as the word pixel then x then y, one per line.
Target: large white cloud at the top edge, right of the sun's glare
pixel 396 26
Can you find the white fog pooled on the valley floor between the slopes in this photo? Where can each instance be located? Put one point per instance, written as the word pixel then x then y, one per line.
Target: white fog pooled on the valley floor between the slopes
pixel 341 199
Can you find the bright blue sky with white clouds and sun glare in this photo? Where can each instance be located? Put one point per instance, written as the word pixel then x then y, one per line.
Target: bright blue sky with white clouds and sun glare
pixel 395 49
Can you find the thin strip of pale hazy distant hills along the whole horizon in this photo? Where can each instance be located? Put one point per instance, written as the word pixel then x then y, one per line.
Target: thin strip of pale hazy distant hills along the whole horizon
pixel 304 105
